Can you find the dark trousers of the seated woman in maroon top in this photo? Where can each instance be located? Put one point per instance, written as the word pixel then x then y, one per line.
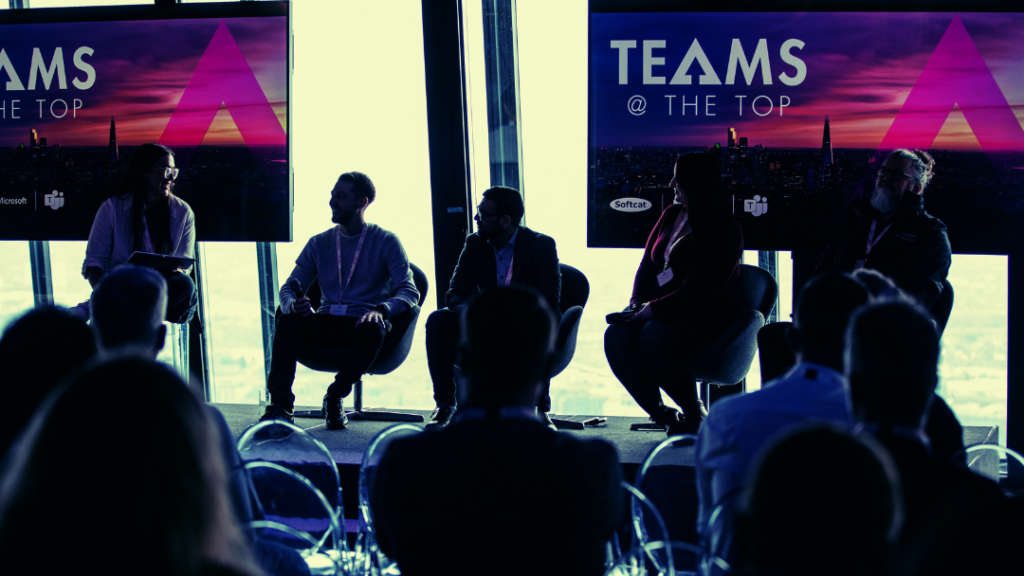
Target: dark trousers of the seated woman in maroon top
pixel 649 357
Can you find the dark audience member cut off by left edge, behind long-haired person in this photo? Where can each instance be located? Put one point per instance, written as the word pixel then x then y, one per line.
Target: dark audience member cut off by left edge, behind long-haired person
pixel 37 352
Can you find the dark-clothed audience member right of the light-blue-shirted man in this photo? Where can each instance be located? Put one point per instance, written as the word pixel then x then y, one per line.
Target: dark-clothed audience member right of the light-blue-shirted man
pixel 892 354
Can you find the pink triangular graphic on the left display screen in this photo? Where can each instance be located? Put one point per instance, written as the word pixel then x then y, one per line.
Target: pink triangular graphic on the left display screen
pixel 224 77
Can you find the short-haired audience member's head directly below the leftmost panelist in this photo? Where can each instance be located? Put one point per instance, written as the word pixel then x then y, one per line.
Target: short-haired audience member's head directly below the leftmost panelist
pixel 129 309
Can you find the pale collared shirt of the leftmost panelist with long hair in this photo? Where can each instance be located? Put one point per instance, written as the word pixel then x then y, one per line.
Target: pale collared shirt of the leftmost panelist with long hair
pixel 111 242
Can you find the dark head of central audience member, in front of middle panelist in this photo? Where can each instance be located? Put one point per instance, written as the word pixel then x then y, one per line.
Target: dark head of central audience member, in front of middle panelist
pixel 507 342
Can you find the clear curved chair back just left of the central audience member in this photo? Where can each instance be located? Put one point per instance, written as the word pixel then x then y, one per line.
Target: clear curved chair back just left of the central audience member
pixel 369 558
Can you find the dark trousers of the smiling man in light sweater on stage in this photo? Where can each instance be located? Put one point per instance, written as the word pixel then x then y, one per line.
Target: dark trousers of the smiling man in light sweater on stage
pixel 297 334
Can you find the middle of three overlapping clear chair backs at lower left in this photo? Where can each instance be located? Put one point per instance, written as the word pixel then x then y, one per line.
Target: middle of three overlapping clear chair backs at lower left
pixel 297 515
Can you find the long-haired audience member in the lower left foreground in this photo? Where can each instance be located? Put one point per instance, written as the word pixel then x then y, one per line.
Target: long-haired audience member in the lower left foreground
pixel 147 500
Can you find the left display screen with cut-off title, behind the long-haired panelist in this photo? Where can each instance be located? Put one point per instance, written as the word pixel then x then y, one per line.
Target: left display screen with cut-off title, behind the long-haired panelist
pixel 83 89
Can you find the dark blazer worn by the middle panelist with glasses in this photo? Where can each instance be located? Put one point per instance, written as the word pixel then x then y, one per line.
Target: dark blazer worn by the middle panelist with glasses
pixel 535 264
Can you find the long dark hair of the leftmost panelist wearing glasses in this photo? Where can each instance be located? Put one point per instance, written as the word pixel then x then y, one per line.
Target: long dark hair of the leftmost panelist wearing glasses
pixel 134 186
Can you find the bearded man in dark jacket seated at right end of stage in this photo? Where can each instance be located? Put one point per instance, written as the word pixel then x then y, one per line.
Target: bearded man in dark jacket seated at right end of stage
pixel 893 234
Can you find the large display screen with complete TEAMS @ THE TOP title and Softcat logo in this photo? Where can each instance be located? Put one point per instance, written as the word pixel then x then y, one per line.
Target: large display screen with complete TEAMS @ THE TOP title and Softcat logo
pixel 800 110
